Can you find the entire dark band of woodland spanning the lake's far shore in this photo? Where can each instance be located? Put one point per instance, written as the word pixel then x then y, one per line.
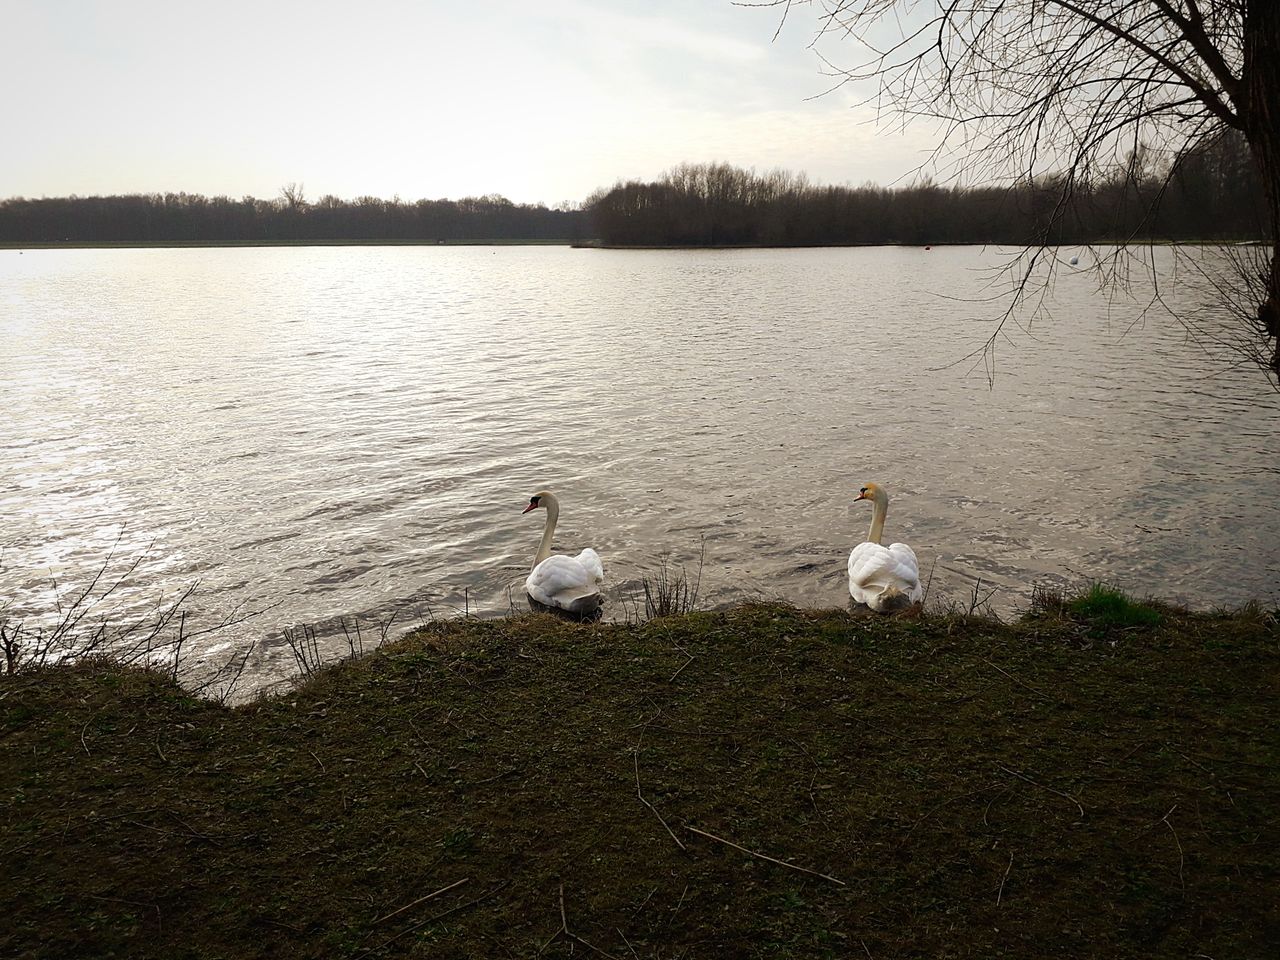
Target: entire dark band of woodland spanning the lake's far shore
pixel 1212 195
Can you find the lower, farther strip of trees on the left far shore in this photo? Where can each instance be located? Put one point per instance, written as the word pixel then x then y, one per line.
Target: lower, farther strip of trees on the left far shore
pixel 191 217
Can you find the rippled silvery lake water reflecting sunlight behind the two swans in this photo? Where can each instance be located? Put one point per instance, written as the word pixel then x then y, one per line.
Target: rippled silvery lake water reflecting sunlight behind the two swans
pixel 354 432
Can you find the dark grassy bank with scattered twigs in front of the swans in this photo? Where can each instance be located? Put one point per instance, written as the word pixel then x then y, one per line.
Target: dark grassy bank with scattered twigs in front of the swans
pixel 1072 785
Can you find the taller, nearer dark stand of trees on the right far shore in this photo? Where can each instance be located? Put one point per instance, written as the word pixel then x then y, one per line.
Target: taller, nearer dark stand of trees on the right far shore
pixel 1213 195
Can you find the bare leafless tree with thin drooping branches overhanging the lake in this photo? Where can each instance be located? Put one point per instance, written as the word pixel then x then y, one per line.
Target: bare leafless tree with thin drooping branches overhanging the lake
pixel 1064 92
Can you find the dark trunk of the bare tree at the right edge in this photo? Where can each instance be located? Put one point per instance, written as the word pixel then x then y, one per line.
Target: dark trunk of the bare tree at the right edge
pixel 1261 116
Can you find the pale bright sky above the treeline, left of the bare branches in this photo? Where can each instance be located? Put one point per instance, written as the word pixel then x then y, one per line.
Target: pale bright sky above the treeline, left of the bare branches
pixel 538 100
